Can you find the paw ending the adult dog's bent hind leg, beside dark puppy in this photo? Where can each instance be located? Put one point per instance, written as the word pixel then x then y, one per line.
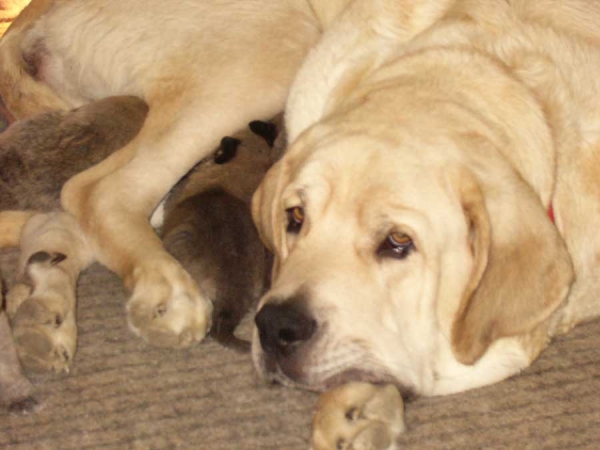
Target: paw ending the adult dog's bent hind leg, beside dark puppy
pixel 166 307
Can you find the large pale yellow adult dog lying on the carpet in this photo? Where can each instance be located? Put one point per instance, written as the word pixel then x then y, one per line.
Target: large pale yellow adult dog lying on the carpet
pixel 433 143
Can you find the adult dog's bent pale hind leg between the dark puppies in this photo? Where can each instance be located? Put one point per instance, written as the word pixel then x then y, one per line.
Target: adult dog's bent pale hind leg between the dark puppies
pixel 114 200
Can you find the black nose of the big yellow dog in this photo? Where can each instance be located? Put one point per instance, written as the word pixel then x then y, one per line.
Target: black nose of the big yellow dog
pixel 283 327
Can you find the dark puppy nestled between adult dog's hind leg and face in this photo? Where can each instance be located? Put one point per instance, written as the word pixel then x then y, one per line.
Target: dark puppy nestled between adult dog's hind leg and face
pixel 209 229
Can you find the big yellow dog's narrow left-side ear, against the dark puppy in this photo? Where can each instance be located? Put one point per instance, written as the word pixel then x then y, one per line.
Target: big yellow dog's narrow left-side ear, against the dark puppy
pixel 267 211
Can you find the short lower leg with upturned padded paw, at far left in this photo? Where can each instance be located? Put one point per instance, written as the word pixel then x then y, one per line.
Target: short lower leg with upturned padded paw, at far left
pixel 42 304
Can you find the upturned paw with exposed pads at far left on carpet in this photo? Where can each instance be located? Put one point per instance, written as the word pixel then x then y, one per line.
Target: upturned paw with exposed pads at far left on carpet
pixel 43 315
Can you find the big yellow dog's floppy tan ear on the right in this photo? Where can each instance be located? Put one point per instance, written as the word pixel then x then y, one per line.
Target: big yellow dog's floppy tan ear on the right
pixel 522 271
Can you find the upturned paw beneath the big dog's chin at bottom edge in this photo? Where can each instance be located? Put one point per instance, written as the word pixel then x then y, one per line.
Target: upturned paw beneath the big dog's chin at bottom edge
pixel 358 416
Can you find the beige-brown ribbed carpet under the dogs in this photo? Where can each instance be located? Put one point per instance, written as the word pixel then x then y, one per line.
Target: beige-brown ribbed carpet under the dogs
pixel 122 394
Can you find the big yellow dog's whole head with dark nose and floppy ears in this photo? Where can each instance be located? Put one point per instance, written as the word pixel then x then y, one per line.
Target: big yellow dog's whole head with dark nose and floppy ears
pixel 396 244
